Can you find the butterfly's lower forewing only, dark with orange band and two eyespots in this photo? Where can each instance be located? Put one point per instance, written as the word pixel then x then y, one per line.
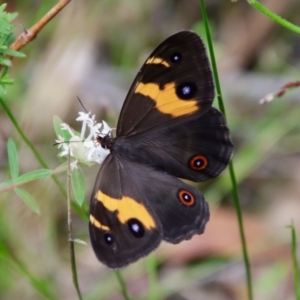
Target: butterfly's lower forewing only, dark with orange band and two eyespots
pixel 121 228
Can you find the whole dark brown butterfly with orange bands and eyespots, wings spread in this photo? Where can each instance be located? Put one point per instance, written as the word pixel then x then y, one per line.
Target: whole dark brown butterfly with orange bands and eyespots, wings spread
pixel 167 130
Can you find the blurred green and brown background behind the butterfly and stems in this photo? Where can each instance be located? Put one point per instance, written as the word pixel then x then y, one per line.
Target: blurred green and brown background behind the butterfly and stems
pixel 93 49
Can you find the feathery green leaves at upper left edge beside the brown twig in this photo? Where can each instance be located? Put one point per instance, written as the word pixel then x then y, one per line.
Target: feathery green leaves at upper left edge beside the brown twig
pixel 6 38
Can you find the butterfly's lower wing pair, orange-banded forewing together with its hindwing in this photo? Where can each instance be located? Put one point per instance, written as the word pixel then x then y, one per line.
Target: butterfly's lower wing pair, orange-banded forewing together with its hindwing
pixel 136 207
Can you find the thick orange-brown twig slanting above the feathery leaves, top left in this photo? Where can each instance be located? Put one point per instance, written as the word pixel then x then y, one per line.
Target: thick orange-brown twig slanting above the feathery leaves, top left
pixel 30 34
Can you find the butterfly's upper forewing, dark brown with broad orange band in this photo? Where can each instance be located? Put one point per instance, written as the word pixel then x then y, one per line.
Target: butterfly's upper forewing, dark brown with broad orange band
pixel 174 83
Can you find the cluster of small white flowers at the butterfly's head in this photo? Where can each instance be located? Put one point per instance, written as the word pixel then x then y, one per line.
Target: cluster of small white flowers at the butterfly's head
pixel 84 149
